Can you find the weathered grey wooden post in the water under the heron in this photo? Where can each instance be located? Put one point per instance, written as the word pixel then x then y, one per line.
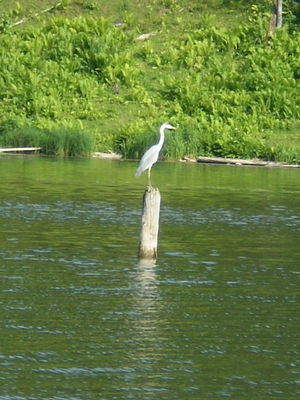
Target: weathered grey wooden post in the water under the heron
pixel 150 224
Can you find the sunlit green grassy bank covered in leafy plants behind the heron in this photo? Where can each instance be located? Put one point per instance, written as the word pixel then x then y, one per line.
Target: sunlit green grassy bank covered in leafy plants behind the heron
pixel 75 80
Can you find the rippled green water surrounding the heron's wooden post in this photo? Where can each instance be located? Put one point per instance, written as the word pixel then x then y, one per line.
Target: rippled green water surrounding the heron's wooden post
pixel 217 317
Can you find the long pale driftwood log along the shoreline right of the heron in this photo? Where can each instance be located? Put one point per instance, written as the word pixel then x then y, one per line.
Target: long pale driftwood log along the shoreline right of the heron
pixel 237 161
